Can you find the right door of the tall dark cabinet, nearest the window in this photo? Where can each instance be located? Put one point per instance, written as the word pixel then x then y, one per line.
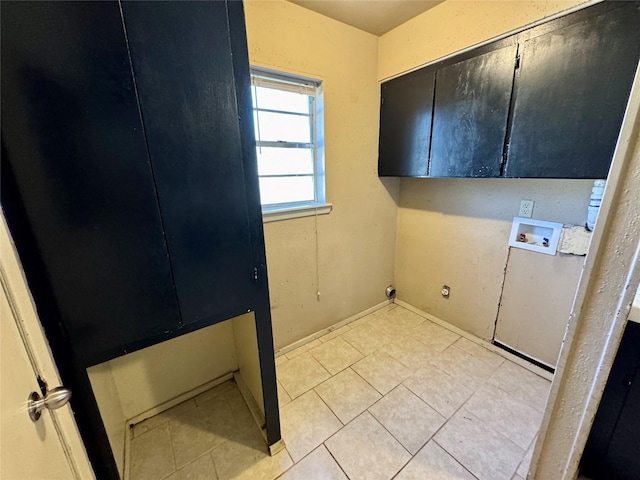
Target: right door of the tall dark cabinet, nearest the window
pixel 182 64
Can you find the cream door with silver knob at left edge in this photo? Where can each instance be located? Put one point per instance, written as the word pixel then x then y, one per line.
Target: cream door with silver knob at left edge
pixel 50 448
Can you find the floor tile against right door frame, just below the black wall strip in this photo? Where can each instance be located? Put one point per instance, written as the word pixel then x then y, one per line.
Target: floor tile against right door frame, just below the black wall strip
pixel 523 384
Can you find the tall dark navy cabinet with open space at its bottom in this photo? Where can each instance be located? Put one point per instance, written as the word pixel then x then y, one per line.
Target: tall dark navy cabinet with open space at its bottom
pixel 129 182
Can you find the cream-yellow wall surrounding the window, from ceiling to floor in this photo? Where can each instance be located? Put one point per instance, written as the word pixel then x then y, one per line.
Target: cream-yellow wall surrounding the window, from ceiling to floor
pixel 356 240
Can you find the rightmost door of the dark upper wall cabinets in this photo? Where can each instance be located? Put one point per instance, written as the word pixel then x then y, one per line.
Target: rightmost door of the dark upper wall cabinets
pixel 571 93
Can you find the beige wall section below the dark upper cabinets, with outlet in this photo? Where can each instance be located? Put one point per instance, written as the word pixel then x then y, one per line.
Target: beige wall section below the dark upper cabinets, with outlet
pixel 455 232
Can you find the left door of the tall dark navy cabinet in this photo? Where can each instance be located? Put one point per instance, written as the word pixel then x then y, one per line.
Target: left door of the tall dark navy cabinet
pixel 77 185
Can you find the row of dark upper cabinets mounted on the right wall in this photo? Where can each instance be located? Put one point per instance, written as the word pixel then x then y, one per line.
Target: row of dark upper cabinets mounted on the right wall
pixel 555 112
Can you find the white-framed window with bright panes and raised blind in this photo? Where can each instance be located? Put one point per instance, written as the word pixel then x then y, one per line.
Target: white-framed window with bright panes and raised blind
pixel 287 115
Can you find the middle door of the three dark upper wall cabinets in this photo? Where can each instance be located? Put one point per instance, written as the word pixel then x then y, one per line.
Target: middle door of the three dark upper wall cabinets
pixel 470 115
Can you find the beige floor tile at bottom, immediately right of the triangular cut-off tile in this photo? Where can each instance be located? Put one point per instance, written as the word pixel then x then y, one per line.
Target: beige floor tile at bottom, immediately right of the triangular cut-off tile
pixel 483 451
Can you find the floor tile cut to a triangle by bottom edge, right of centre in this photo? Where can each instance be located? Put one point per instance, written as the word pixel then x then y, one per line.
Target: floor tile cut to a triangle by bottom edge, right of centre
pixel 433 463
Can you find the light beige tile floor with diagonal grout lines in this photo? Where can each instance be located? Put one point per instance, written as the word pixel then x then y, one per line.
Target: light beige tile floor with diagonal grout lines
pixel 391 395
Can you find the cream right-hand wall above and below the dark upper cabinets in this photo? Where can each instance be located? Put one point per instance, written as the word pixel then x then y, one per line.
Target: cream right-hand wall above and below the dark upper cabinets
pixel 455 231
